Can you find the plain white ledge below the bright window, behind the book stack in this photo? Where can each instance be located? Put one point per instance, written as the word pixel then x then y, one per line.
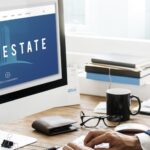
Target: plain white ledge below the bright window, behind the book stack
pixel 89 44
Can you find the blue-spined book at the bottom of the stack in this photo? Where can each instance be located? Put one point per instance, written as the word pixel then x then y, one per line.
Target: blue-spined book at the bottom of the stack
pixel 118 79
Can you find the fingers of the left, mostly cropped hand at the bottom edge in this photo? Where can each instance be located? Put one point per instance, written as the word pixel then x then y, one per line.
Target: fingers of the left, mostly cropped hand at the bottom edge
pixel 72 146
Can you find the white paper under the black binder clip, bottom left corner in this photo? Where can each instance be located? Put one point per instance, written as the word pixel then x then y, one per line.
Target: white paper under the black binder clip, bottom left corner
pixel 17 139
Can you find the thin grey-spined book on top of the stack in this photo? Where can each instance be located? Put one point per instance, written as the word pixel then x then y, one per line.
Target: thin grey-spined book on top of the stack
pixel 122 60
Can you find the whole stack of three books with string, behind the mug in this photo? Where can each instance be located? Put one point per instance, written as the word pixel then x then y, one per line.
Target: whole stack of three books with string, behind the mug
pixel 119 68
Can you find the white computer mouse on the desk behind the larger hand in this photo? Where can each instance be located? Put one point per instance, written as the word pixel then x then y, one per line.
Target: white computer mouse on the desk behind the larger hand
pixel 132 128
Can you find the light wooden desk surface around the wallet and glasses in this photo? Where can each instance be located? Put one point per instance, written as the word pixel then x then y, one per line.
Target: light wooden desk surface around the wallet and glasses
pixel 23 126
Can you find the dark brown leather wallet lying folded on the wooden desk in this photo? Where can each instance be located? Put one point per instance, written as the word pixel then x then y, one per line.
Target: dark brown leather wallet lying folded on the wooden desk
pixel 52 125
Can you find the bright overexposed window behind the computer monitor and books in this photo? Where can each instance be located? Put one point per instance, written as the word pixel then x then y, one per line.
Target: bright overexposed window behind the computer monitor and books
pixel 108 18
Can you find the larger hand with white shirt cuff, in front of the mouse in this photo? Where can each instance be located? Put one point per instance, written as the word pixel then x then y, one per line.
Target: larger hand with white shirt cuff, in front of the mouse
pixel 117 141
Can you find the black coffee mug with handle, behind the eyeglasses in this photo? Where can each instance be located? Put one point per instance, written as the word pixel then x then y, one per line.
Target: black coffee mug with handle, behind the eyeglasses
pixel 118 103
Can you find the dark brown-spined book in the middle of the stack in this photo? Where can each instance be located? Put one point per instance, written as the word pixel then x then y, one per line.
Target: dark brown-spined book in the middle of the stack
pixel 114 70
